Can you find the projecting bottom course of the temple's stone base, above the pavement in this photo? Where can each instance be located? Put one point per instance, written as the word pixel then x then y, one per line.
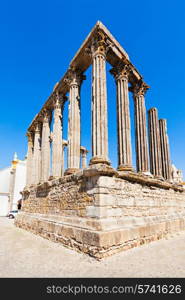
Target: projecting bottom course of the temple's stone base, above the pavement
pixel 98 244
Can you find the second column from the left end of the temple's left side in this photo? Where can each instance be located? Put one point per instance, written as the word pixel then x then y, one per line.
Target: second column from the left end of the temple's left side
pixel 37 155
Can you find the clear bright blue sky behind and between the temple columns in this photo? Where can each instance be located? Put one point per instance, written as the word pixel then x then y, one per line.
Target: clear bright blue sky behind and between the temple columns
pixel 39 39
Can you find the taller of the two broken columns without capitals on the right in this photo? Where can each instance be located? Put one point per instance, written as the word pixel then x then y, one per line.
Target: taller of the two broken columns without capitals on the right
pixel 154 143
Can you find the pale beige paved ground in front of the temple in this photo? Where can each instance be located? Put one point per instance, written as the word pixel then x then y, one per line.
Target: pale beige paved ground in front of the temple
pixel 23 254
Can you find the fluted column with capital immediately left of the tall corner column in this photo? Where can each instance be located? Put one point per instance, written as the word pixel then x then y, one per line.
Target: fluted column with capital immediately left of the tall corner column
pixel 74 80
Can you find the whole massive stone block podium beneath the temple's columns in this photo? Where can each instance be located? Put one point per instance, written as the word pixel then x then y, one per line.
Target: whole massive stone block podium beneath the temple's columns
pixel 101 212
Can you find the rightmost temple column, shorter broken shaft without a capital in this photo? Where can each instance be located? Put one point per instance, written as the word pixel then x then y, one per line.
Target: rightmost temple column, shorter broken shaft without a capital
pixel 165 151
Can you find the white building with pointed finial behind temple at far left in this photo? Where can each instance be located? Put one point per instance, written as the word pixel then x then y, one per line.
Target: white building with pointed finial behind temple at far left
pixel 12 182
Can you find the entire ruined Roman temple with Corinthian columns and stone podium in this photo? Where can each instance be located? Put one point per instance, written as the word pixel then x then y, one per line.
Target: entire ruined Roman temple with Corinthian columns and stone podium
pixel 95 208
